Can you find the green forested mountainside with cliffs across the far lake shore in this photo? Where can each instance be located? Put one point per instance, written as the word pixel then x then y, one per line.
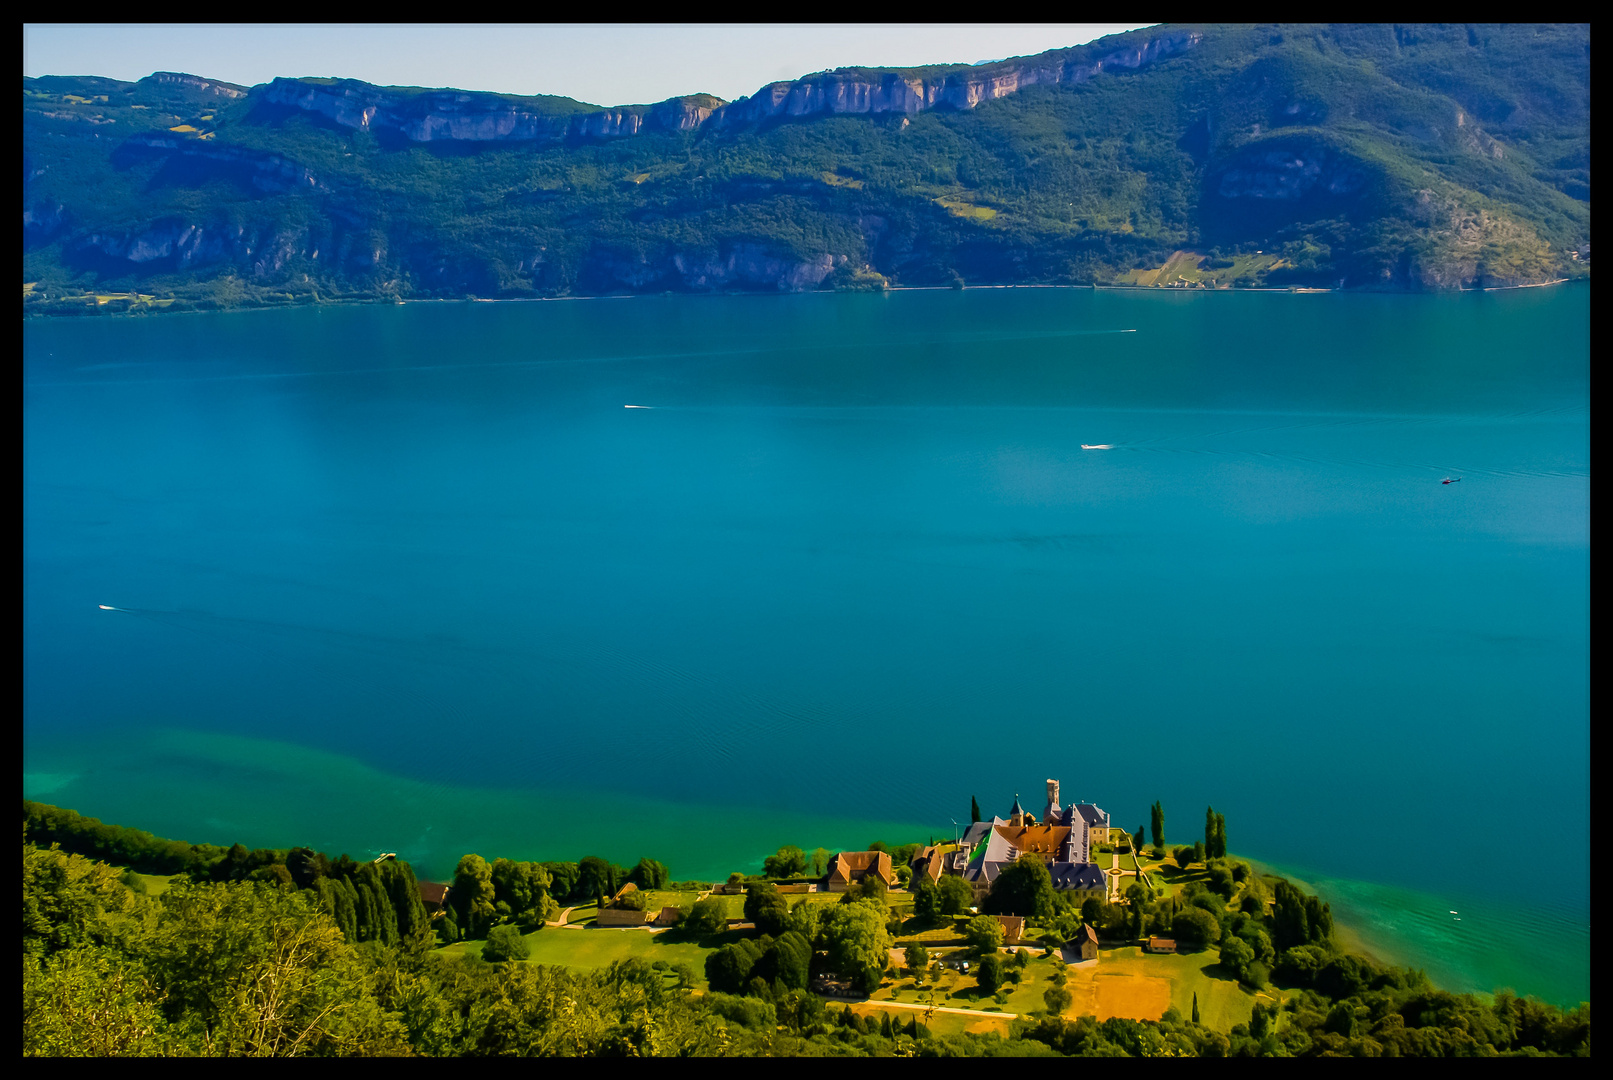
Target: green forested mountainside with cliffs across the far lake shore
pixel 1361 157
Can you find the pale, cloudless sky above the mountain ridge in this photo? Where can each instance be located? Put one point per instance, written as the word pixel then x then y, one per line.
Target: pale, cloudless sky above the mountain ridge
pixel 596 64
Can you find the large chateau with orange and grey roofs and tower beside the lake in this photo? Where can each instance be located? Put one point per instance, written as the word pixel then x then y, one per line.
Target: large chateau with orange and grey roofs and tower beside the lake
pixel 1064 839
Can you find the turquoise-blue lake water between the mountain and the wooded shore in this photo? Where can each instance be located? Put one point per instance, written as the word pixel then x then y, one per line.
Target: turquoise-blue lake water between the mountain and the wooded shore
pixel 415 579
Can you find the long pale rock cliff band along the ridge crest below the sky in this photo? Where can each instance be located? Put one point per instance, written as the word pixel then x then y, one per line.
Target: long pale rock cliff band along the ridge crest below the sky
pixel 465 117
